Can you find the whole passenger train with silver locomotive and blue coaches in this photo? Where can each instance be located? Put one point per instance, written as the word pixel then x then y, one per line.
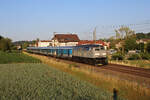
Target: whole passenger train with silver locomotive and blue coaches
pixel 90 54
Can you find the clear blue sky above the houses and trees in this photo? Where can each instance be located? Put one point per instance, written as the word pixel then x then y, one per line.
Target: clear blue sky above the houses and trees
pixel 32 19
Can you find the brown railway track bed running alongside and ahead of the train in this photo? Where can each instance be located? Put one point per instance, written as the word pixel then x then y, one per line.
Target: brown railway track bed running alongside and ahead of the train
pixel 113 67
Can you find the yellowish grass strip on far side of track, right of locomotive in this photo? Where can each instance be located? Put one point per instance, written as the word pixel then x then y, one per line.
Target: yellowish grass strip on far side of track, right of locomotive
pixel 134 63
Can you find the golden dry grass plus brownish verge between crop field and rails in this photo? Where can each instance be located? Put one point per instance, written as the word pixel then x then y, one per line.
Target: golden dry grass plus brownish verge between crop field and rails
pixel 105 79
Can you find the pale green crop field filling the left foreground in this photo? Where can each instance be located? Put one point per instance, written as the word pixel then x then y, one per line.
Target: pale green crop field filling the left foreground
pixel 41 82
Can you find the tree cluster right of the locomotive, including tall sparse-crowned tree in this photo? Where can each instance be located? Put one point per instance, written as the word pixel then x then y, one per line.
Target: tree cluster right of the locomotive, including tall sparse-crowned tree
pixel 127 39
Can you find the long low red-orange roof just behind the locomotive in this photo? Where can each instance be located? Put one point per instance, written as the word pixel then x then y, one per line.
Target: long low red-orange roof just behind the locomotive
pixel 82 42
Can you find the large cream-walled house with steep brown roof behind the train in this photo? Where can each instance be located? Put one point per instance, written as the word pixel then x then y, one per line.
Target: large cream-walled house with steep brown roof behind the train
pixel 65 40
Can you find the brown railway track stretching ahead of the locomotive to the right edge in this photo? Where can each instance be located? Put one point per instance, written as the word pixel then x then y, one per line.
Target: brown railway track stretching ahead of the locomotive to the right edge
pixel 128 69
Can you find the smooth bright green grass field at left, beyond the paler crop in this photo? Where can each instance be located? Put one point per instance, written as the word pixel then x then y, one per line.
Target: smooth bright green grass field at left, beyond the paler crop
pixel 16 57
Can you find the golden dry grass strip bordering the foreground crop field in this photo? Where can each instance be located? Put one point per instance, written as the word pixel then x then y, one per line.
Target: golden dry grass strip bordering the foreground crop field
pixel 128 90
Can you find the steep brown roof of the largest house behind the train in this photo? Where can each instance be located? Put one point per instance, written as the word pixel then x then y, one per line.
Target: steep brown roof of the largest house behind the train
pixel 66 37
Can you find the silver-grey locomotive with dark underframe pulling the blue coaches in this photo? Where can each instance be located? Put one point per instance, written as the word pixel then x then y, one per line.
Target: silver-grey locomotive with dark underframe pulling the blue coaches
pixel 92 54
